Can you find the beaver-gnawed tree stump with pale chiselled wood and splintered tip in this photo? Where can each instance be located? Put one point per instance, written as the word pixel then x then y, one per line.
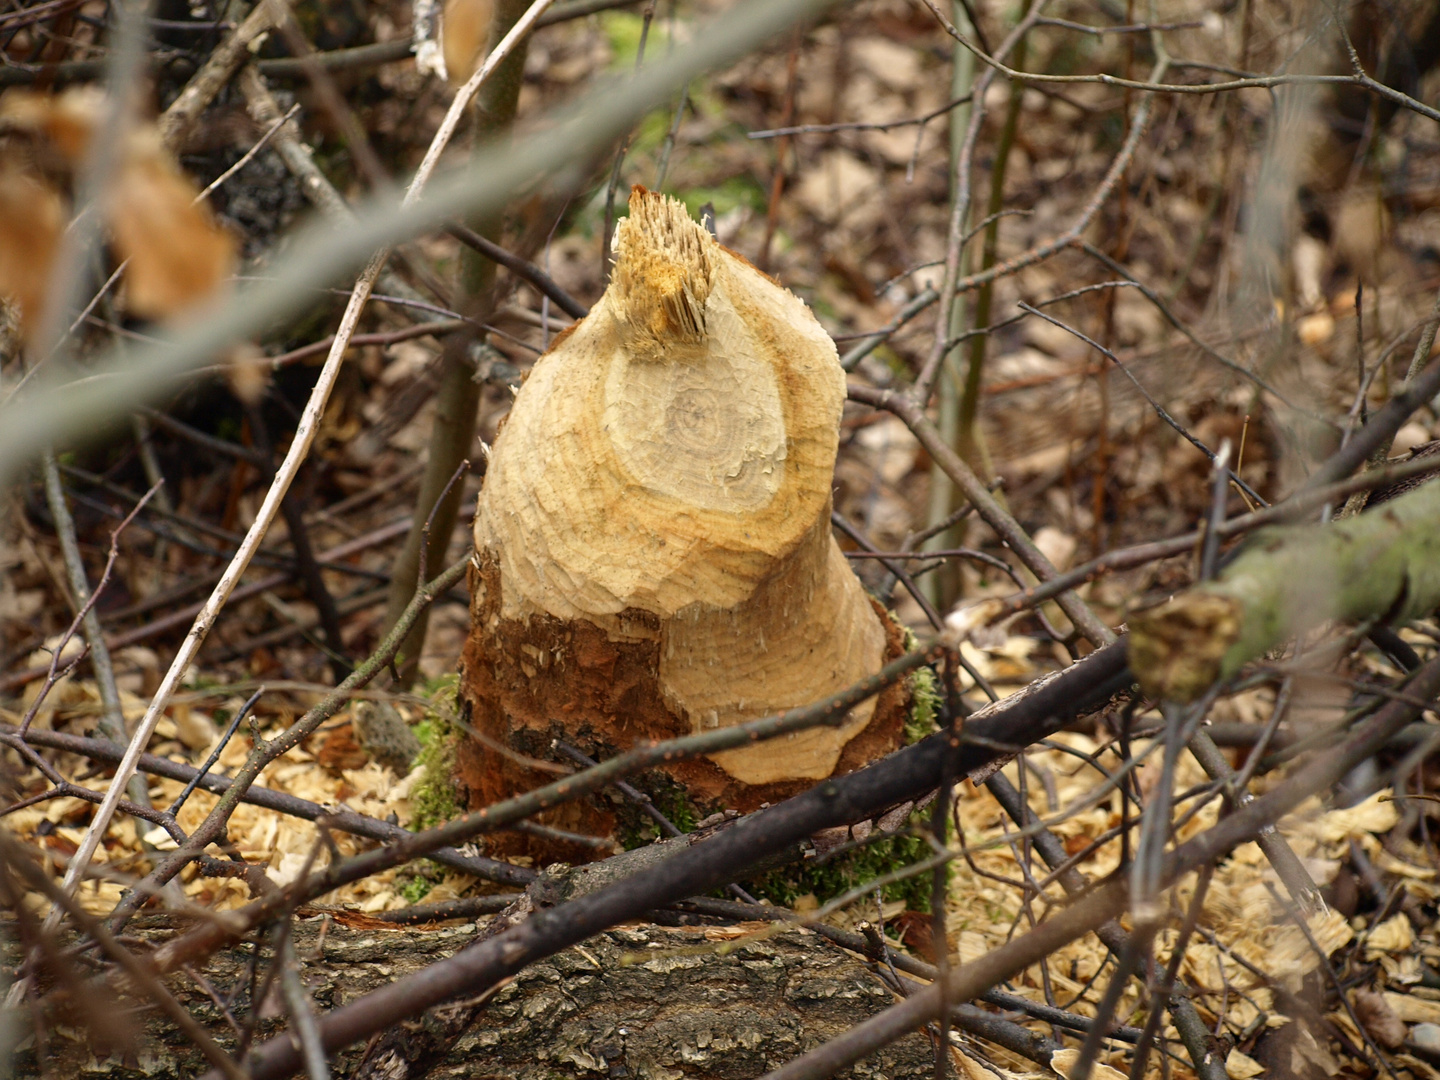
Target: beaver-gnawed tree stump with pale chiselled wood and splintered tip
pixel 653 548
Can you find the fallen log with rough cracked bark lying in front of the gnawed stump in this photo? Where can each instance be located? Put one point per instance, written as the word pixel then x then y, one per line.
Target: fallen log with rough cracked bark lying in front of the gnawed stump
pixel 640 1002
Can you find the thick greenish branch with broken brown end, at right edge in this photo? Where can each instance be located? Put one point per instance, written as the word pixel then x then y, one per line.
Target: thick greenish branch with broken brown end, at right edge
pixel 1382 565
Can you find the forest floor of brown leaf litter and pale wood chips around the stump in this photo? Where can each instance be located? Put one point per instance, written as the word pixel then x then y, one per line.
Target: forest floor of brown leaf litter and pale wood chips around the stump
pixel 852 212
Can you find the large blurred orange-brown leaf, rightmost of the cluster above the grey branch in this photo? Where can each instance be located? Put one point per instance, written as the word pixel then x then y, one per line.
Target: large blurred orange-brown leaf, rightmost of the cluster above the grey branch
pixel 178 254
